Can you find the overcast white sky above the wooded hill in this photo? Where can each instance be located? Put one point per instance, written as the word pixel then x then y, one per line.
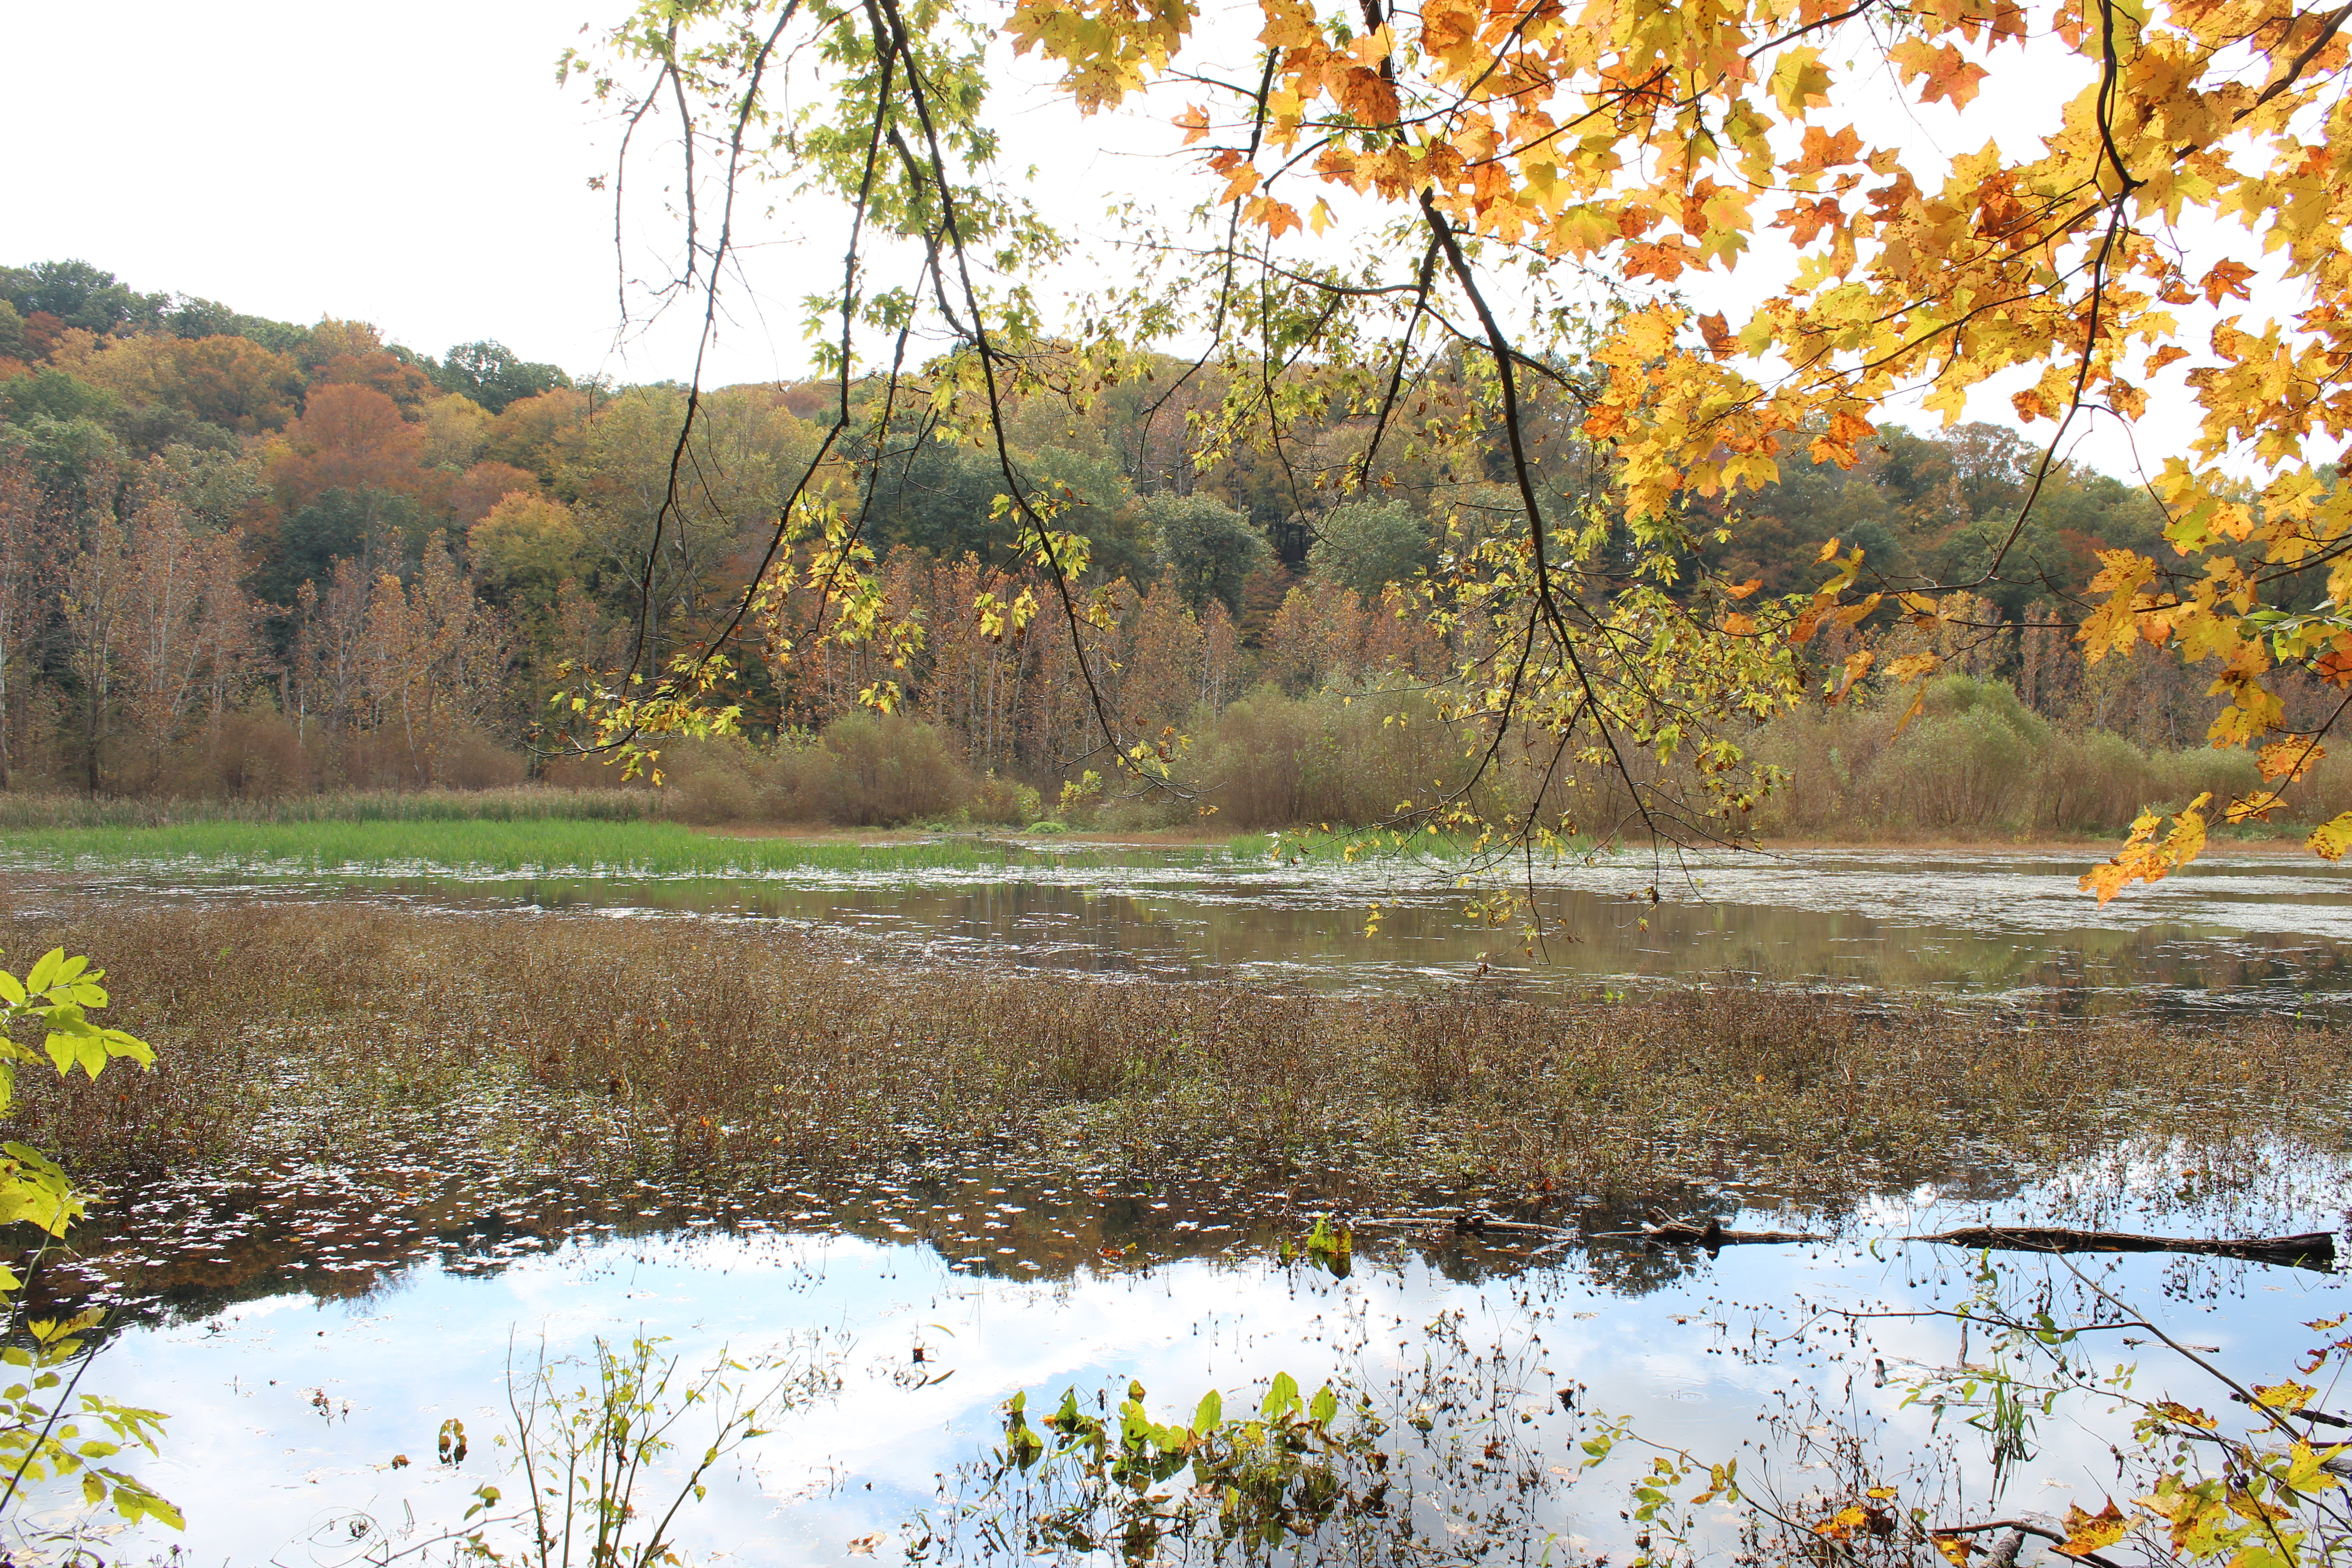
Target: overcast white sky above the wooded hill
pixel 420 168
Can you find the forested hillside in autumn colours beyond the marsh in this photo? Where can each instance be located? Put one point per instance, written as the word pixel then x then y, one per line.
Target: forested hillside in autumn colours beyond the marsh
pixel 255 558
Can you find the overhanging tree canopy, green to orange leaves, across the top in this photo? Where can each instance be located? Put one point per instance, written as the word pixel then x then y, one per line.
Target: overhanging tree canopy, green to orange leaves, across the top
pixel 1485 222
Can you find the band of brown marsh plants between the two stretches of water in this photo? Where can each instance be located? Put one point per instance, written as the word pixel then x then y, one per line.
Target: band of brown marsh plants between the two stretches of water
pixel 749 1054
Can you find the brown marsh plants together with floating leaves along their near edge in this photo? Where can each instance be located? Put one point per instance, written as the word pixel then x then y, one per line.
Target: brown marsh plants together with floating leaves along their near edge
pixel 345 1090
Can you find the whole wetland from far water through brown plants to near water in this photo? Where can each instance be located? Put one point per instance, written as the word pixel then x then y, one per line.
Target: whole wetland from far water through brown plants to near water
pixel 417 1127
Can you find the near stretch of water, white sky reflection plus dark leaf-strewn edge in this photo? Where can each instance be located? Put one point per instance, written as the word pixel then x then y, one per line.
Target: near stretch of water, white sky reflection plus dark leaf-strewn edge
pixel 933 1301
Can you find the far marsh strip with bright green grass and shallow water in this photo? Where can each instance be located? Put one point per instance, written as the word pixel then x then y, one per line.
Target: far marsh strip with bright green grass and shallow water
pixel 2240 930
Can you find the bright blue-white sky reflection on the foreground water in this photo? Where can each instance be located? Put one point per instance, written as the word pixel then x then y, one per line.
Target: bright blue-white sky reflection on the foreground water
pixel 288 1409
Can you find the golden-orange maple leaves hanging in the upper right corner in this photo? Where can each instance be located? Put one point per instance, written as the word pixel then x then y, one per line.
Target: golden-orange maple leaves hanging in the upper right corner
pixel 1650 140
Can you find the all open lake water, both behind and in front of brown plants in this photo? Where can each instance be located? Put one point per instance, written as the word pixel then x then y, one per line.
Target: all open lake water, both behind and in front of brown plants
pixel 305 1339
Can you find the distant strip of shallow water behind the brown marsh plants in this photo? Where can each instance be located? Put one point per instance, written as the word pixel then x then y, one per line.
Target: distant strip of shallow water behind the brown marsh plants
pixel 2233 932
